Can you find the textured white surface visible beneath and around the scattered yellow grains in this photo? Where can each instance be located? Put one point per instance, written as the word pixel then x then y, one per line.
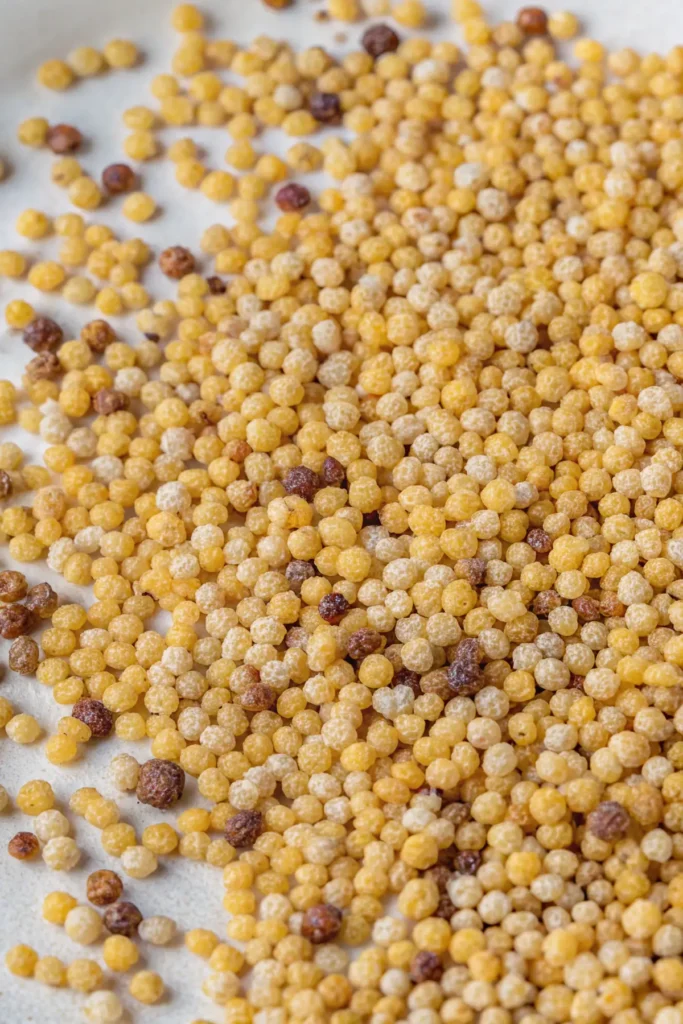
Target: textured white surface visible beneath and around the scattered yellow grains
pixel 33 31
